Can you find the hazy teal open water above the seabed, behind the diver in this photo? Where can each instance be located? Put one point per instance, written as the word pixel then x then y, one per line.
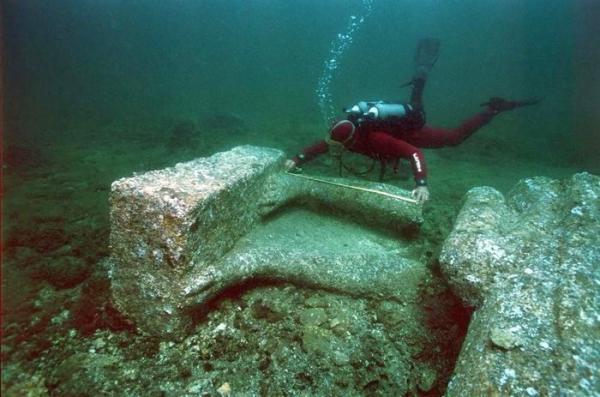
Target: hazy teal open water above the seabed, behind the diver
pixel 80 61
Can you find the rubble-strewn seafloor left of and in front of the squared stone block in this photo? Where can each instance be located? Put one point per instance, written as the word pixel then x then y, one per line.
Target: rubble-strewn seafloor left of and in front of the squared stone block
pixel 61 335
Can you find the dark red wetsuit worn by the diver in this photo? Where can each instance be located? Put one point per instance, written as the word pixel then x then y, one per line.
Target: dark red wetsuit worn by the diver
pixel 391 142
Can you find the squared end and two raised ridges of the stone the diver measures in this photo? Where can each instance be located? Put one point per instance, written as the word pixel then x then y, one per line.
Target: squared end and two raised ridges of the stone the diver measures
pixel 174 233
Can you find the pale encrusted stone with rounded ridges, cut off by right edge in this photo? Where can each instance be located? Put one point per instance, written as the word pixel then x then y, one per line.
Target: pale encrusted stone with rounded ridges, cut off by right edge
pixel 530 266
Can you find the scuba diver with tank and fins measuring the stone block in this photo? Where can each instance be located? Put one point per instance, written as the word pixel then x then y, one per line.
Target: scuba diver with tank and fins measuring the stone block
pixel 388 132
